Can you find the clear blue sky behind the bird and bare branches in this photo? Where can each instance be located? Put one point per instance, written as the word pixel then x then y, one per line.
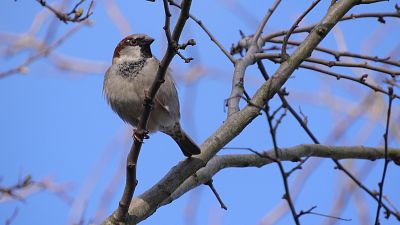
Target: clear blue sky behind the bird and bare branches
pixel 56 124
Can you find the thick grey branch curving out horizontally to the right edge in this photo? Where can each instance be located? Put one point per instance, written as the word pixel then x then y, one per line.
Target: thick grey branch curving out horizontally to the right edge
pixel 295 153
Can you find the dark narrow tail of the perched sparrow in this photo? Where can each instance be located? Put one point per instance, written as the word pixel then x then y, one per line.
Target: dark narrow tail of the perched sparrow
pixel 186 144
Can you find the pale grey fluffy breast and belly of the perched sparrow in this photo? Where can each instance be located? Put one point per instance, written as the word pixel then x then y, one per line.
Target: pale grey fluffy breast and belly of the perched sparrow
pixel 125 87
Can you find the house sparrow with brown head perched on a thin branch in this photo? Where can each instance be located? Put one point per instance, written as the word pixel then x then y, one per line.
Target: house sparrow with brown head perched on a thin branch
pixel 127 81
